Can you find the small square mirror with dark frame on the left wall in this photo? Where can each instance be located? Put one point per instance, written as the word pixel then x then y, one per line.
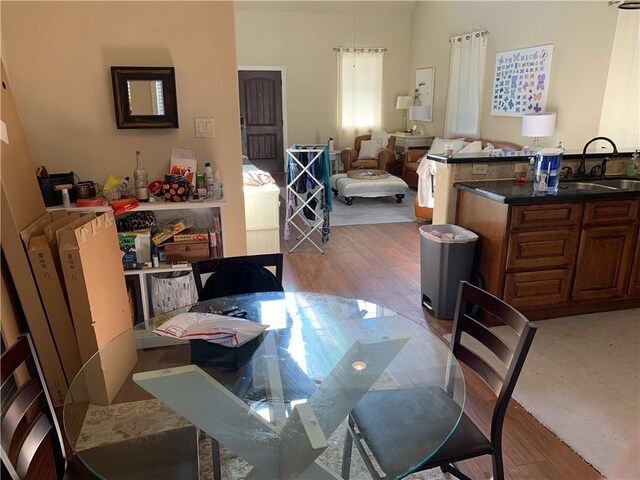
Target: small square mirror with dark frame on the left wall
pixel 145 97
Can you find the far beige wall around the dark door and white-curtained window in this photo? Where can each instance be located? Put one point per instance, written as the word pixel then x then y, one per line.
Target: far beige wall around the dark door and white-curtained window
pixel 301 36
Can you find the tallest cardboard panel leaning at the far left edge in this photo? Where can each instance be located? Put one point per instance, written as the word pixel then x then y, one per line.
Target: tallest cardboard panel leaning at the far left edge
pixel 22 205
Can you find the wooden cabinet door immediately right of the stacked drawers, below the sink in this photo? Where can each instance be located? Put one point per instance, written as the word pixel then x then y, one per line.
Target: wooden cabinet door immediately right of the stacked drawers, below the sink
pixel 604 261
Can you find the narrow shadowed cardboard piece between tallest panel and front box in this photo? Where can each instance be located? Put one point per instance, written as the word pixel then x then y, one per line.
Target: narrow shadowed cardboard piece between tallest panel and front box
pixel 45 263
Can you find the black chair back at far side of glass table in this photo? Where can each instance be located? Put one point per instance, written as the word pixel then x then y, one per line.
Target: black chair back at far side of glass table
pixel 236 275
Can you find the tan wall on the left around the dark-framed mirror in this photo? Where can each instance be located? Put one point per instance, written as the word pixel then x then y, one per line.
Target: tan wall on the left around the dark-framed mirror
pixel 58 54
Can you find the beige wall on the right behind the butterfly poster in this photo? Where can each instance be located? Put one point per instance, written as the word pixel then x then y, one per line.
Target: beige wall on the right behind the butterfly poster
pixel 582 34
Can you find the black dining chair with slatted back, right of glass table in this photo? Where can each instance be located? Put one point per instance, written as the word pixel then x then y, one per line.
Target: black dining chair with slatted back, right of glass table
pixel 467 440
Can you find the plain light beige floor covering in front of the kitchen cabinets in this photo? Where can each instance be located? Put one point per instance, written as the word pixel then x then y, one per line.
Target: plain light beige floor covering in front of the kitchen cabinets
pixel 581 380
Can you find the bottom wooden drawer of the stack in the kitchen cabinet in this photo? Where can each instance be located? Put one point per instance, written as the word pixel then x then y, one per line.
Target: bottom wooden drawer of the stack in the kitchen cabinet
pixel 536 289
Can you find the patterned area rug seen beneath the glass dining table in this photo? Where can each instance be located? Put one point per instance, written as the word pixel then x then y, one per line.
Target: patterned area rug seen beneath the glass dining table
pixel 104 425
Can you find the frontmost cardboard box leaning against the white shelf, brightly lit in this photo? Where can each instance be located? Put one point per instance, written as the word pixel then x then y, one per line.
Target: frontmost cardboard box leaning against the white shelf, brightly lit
pixel 94 277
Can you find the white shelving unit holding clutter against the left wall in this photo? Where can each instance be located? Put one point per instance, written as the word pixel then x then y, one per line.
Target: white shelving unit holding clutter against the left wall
pixel 202 213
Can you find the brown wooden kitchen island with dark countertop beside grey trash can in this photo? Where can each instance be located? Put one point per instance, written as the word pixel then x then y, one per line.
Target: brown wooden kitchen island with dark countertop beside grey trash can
pixel 576 251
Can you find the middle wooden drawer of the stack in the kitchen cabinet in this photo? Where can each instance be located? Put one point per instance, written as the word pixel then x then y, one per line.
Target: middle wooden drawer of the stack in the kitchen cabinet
pixel 551 248
